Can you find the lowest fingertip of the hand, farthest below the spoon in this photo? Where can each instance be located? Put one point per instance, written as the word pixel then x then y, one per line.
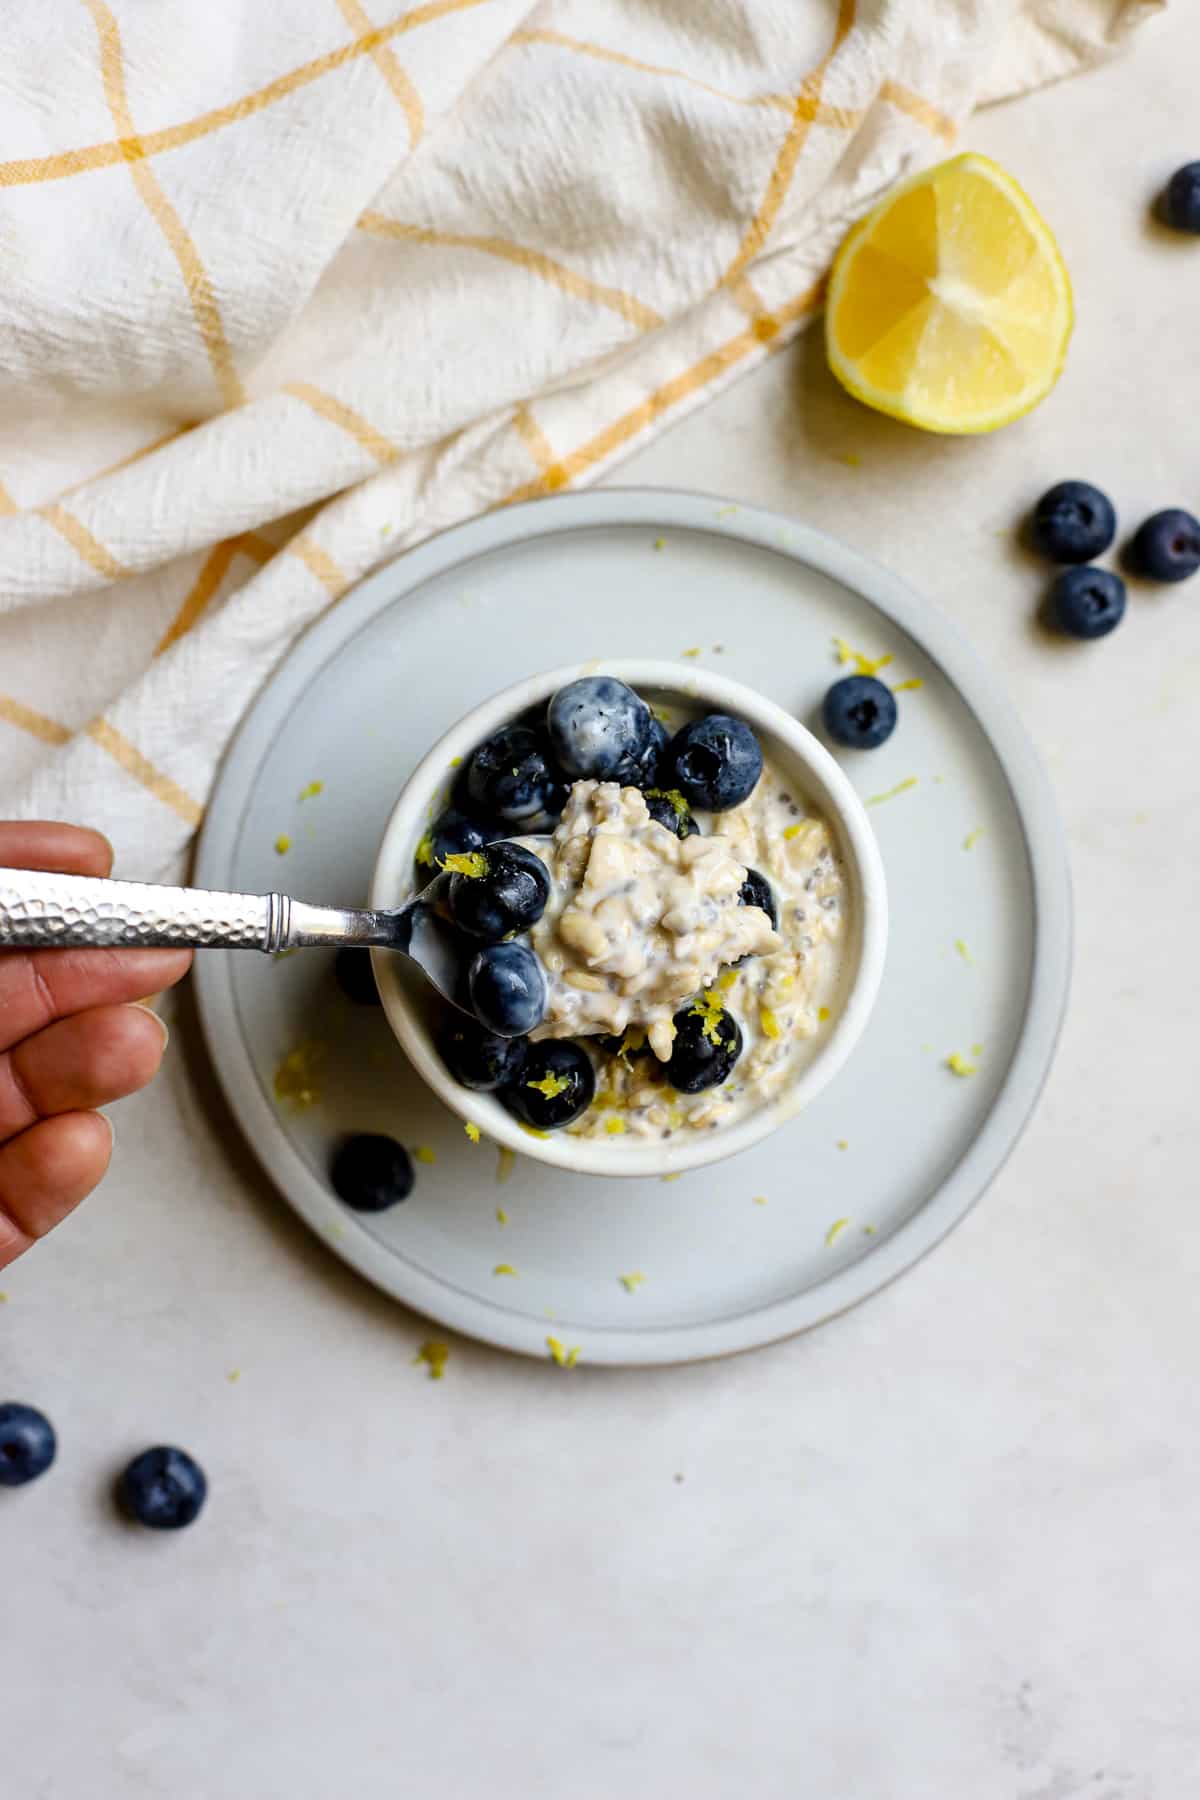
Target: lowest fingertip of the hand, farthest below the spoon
pixel 46 1173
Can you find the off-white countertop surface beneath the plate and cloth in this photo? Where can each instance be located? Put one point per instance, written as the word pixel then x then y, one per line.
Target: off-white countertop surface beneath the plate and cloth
pixel 944 1549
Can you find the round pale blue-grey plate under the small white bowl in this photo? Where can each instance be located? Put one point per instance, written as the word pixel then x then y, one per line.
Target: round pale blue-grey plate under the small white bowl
pixel 899 1146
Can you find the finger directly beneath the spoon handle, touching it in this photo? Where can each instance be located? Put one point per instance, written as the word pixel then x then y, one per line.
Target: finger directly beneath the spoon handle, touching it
pixel 39 987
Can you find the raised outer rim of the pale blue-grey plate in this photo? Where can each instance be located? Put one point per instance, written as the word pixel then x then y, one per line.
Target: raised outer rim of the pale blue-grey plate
pixel 1034 804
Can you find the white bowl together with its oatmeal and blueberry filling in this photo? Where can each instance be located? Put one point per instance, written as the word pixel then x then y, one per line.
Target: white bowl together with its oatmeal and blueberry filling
pixel 674 904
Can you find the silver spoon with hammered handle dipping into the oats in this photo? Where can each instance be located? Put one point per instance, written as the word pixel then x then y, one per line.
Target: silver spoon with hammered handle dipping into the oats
pixel 42 912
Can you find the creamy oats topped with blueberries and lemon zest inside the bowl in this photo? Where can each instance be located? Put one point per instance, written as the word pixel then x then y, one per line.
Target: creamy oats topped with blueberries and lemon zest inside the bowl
pixel 659 919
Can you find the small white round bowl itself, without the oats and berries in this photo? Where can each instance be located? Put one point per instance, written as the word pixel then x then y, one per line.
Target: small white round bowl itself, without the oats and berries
pixel 413 1009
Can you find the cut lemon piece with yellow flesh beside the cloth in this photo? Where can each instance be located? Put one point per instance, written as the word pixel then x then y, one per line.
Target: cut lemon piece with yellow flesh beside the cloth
pixel 951 303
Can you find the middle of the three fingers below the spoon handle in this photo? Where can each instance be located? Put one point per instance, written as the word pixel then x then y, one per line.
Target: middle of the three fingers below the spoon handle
pixel 78 1065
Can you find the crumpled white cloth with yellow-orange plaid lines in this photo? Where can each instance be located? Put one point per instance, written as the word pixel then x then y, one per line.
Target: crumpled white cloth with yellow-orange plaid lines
pixel 285 289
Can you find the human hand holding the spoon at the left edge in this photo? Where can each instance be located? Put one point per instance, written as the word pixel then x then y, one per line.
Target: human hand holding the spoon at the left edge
pixel 69 1043
